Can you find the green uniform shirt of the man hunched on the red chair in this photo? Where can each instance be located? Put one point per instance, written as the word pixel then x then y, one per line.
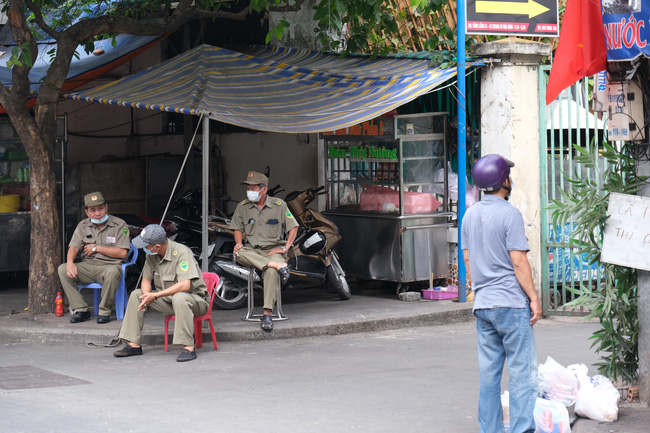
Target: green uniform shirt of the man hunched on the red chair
pixel 177 265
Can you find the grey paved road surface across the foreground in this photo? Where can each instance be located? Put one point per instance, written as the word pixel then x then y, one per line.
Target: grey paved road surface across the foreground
pixel 409 380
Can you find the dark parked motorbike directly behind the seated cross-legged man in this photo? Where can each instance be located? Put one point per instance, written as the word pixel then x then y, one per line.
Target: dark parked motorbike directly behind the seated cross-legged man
pixel 312 261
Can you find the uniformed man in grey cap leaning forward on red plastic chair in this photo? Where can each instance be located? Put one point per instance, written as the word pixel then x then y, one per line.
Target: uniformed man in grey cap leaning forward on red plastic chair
pixel 172 284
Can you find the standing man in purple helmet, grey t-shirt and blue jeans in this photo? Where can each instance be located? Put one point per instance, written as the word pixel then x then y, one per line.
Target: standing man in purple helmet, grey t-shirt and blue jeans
pixel 507 305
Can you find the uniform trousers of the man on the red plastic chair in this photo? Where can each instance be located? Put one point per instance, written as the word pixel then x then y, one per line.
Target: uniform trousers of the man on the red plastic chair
pixel 183 305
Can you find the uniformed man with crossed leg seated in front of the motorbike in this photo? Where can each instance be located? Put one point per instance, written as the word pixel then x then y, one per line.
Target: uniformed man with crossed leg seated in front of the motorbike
pixel 263 220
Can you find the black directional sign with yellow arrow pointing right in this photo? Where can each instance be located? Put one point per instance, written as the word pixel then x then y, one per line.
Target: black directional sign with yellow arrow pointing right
pixel 514 18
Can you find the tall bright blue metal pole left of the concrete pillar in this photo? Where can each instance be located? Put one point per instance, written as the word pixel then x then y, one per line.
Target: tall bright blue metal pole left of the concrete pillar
pixel 462 152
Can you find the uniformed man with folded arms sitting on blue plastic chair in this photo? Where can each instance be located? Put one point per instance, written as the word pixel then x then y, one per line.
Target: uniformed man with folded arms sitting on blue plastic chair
pixel 103 240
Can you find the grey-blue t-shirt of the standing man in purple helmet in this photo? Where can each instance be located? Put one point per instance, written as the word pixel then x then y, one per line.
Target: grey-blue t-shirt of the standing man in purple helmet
pixel 490 230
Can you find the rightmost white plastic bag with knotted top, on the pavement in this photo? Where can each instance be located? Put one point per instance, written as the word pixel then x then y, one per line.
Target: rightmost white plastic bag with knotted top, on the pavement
pixel 597 396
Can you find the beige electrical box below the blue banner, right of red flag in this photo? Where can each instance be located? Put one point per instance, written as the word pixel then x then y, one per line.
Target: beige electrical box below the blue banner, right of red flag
pixel 625 121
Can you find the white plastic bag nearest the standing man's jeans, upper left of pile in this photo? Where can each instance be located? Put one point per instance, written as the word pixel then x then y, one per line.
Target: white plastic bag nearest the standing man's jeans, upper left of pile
pixel 557 383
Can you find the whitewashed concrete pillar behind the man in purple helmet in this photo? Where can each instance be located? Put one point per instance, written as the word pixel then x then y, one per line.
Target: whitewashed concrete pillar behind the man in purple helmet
pixel 510 98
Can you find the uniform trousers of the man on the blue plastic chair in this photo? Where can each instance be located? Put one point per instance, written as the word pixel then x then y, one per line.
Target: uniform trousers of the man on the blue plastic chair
pixel 108 276
